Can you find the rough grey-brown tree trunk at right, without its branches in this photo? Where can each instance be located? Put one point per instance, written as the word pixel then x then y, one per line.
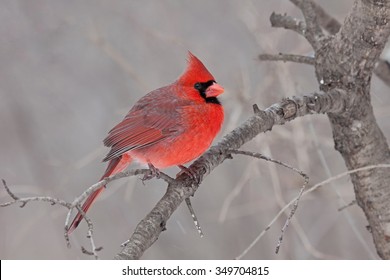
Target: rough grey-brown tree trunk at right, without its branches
pixel 346 61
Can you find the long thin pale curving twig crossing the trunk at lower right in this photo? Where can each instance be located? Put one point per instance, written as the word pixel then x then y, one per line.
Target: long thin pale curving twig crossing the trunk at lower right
pixel 313 188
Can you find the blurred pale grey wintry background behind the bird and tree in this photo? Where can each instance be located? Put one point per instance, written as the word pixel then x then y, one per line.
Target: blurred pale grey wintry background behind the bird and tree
pixel 70 70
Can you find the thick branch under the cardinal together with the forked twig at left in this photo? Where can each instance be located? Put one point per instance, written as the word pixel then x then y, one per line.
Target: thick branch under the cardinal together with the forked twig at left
pixel 181 188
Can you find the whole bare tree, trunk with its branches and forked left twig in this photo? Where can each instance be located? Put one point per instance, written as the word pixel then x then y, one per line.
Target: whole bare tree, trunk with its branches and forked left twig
pixel 344 63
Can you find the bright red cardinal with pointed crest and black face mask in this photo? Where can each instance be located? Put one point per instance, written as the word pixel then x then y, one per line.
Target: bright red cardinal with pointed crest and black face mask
pixel 169 126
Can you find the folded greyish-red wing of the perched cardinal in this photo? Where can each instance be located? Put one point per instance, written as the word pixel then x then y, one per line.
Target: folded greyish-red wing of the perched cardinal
pixel 139 130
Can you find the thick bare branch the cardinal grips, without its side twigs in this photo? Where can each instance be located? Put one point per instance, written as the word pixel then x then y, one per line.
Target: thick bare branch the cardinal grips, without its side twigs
pixel 149 229
